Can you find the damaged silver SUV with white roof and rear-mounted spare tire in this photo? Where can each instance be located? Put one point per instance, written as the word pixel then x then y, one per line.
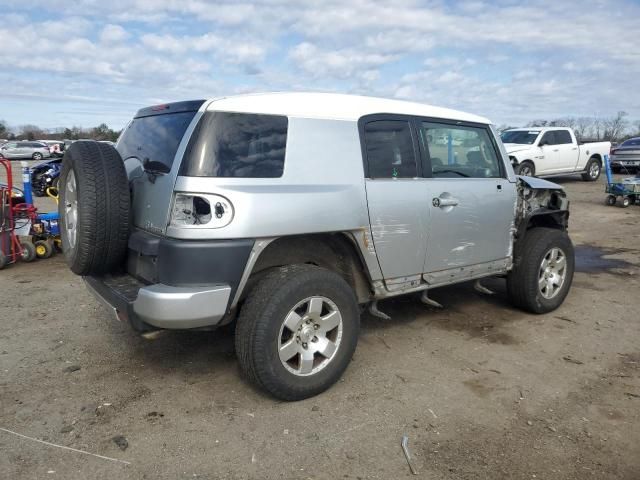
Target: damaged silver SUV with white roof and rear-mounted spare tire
pixel 288 214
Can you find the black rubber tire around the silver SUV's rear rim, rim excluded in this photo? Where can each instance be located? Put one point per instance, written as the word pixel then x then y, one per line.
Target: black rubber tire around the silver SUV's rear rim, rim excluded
pixel 258 330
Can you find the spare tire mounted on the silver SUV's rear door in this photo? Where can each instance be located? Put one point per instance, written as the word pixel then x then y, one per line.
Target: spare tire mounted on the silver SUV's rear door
pixel 94 208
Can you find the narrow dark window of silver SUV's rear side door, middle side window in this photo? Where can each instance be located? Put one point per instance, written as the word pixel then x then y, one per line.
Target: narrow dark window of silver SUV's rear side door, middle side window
pixel 390 152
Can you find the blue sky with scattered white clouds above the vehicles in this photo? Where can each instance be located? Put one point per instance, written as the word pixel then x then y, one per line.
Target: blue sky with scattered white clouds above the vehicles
pixel 82 62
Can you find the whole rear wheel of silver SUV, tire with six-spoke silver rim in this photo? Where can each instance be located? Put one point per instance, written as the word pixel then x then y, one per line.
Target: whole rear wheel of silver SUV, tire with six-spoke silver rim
pixel 297 331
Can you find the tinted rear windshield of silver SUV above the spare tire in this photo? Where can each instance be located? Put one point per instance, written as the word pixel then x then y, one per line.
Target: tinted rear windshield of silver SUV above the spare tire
pixel 155 138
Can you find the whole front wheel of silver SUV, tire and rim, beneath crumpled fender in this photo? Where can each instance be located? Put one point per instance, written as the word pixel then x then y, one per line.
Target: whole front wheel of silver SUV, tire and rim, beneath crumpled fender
pixel 543 271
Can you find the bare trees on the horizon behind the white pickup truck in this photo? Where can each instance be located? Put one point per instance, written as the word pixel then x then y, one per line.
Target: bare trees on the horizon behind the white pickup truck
pixel 613 129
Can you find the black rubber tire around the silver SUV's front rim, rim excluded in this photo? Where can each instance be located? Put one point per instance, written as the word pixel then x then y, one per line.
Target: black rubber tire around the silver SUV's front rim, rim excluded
pixel 522 281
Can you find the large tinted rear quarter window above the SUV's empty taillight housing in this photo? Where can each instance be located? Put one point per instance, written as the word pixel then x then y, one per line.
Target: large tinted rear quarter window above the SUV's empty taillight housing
pixel 237 145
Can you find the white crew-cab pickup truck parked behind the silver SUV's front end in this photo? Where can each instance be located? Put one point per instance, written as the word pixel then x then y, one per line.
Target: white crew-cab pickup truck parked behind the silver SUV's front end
pixel 546 151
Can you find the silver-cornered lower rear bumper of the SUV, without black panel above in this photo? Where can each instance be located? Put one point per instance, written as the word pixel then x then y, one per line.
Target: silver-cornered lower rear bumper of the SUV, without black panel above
pixel 160 306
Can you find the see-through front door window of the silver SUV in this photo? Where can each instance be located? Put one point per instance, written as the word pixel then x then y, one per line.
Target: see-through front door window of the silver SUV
pixel 456 151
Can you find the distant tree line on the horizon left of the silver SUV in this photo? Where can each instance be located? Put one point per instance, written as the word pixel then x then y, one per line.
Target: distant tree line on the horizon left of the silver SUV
pixel 33 132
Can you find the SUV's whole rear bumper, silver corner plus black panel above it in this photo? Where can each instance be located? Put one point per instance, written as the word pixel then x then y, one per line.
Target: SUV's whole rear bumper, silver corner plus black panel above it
pixel 174 284
